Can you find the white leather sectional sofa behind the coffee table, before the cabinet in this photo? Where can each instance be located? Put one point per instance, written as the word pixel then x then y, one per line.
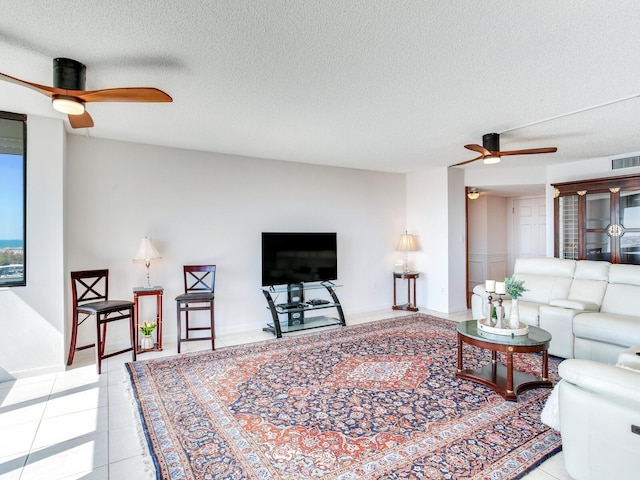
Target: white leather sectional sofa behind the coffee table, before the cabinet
pixel 591 308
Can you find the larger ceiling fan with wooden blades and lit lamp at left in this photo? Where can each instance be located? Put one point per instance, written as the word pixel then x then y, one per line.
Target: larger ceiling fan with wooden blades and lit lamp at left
pixel 69 96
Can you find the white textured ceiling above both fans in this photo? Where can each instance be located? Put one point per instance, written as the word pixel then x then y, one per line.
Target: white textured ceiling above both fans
pixel 385 85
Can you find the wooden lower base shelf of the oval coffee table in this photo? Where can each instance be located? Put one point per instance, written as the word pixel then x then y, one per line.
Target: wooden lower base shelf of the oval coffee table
pixel 494 376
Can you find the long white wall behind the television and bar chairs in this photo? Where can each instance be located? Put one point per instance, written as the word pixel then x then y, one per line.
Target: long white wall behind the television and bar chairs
pixel 211 208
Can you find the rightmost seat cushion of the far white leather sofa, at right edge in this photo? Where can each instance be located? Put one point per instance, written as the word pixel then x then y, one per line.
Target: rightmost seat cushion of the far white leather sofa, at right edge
pixel 601 327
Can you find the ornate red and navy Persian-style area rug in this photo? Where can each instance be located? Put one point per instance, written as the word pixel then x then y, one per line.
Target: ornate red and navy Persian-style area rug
pixel 373 401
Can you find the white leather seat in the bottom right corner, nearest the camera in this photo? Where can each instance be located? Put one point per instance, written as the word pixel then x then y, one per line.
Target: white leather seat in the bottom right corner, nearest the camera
pixel 599 415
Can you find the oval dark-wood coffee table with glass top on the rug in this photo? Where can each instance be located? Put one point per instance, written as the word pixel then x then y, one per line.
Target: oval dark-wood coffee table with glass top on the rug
pixel 496 375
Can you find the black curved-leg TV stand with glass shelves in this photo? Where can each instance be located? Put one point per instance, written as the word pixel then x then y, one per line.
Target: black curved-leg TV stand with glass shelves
pixel 296 307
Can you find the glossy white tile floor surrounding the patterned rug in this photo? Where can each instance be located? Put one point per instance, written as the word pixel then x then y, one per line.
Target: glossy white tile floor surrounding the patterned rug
pixel 79 425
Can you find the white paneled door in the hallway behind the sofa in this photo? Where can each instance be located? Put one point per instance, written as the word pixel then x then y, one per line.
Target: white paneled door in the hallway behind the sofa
pixel 529 227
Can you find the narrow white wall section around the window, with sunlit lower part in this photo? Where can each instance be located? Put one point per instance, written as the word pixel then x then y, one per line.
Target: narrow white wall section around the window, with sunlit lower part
pixel 32 317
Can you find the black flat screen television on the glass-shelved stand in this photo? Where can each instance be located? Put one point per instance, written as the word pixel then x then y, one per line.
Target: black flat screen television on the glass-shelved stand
pixel 289 258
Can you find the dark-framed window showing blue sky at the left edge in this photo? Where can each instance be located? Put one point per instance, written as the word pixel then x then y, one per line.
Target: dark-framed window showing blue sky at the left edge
pixel 13 195
